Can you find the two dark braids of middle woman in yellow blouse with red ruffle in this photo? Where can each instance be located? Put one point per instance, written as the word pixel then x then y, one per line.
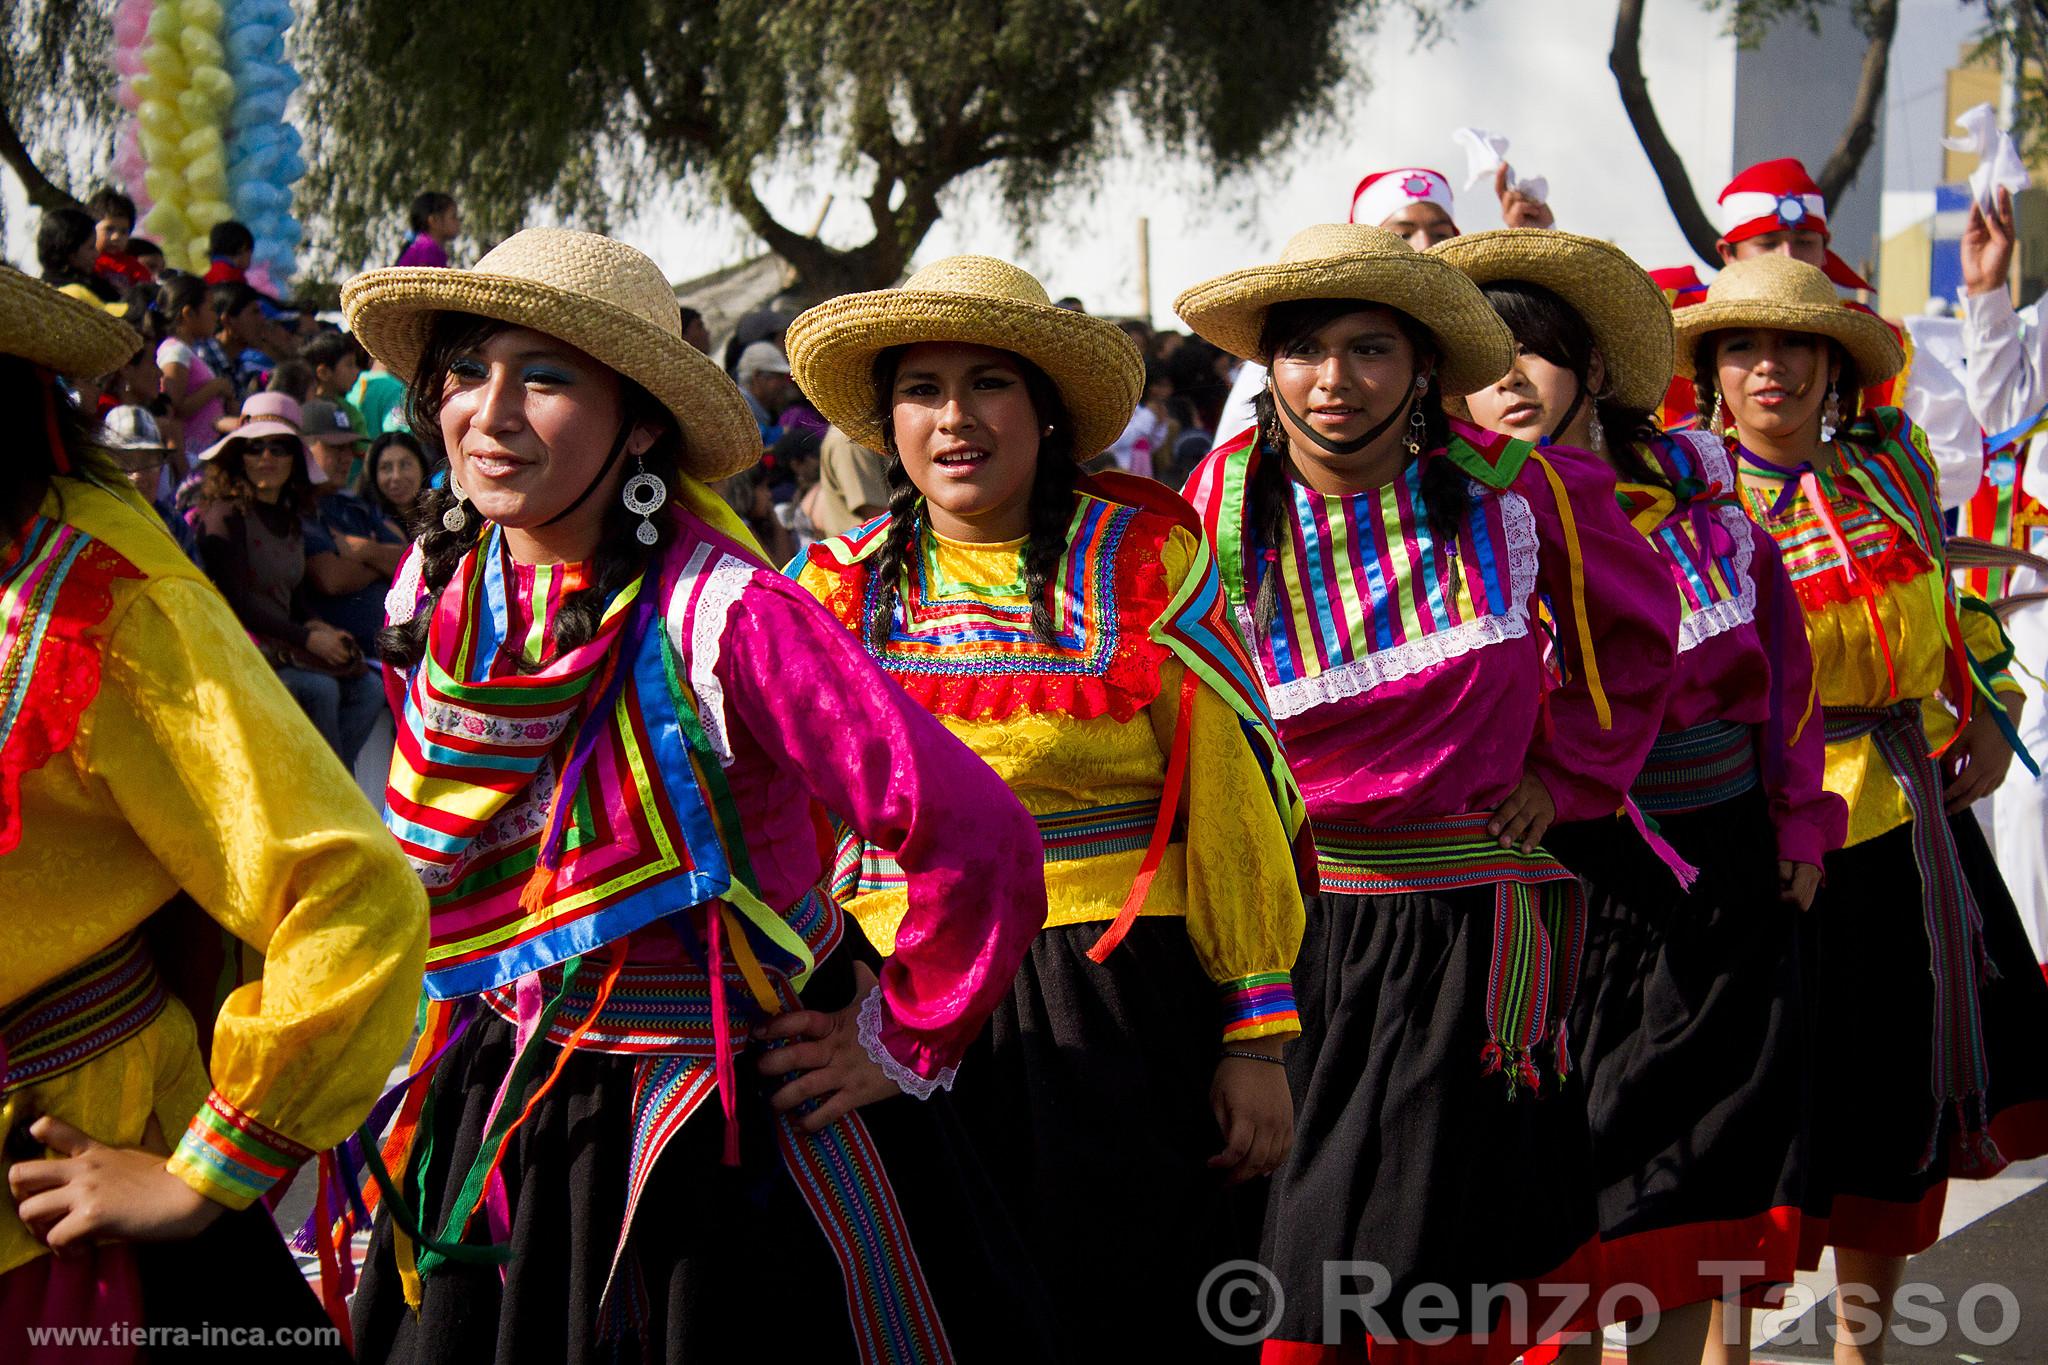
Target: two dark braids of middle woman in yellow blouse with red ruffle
pixel 1052 500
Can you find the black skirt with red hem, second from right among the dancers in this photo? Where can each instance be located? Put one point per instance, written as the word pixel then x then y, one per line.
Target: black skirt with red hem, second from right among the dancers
pixel 1691 1037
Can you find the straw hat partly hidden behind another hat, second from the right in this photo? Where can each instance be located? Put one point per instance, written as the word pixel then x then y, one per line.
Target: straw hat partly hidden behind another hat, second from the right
pixel 1621 304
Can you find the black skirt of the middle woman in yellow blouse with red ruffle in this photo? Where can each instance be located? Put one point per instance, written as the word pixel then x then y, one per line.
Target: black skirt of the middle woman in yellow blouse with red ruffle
pixel 1089 1096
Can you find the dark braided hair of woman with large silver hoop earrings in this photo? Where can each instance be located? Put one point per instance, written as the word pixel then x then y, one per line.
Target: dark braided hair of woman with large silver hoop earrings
pixel 620 558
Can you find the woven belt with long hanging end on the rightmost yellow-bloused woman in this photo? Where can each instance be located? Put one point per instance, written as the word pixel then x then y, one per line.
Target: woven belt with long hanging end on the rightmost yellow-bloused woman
pixel 1961 1075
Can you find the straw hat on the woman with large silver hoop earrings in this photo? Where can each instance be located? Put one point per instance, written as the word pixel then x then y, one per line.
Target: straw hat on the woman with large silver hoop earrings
pixel 589 292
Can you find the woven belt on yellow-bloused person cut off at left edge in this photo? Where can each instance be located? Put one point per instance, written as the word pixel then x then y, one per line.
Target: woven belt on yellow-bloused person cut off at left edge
pixel 79 1016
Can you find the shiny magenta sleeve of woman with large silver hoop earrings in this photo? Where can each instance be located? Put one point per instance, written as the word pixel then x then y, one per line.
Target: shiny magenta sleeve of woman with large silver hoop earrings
pixel 812 699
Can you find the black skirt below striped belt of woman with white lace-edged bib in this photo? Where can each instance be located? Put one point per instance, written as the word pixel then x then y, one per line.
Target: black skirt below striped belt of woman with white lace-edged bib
pixel 1410 1159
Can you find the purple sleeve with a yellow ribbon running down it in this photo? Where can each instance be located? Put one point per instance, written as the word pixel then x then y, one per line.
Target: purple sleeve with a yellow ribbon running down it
pixel 1617 629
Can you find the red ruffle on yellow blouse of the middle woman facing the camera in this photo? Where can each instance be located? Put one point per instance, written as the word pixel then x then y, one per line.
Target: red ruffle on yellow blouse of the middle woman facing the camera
pixel 1127 687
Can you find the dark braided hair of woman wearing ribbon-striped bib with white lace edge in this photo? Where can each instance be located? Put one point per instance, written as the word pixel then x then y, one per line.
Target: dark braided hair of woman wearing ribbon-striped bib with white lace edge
pixel 1271 494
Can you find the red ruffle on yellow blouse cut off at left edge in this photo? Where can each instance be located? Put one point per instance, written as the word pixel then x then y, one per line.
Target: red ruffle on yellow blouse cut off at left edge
pixel 67 676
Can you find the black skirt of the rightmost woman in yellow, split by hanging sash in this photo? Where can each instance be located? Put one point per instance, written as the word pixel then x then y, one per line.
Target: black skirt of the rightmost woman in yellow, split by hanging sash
pixel 1873 1004
